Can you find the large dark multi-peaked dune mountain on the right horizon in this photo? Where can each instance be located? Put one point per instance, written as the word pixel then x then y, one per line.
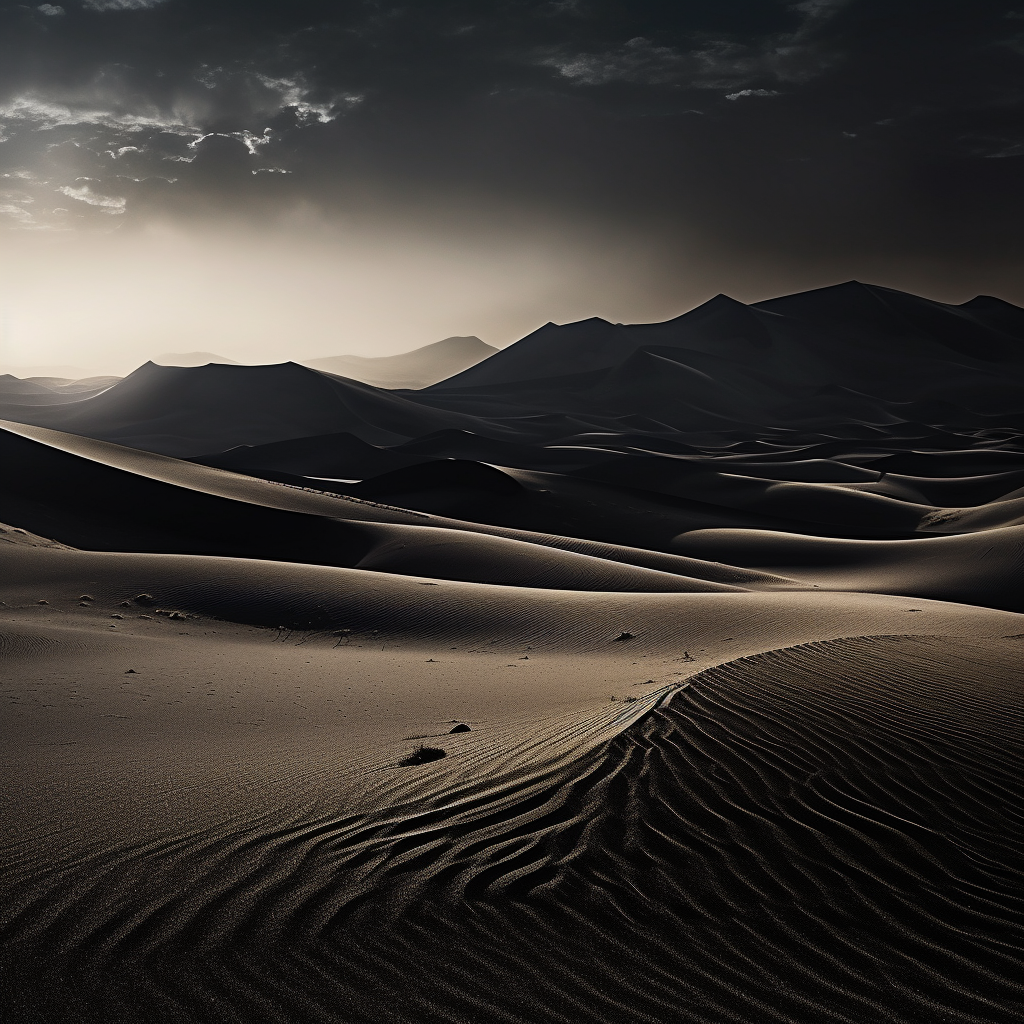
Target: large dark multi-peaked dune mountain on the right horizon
pixel 850 358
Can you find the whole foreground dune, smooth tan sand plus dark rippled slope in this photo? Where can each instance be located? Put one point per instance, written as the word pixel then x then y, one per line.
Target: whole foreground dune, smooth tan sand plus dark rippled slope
pixel 294 843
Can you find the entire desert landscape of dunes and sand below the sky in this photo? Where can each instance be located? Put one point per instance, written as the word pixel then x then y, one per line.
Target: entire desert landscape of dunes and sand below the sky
pixel 665 672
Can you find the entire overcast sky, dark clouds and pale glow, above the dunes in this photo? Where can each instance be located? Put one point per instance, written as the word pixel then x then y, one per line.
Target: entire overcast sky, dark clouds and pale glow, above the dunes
pixel 298 179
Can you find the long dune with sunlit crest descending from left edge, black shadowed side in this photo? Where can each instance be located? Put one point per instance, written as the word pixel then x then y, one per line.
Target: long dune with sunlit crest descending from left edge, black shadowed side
pixel 80 489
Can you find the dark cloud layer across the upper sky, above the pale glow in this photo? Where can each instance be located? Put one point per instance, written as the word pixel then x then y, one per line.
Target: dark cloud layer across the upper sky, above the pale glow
pixel 861 135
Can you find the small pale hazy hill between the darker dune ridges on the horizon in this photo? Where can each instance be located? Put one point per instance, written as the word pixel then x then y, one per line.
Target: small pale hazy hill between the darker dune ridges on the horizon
pixel 415 370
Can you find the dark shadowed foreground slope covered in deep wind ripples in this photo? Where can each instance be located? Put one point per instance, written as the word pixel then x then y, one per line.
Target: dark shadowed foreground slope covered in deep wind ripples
pixel 833 832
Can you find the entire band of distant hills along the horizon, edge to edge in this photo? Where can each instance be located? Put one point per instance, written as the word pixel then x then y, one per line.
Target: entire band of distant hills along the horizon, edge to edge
pixel 850 361
